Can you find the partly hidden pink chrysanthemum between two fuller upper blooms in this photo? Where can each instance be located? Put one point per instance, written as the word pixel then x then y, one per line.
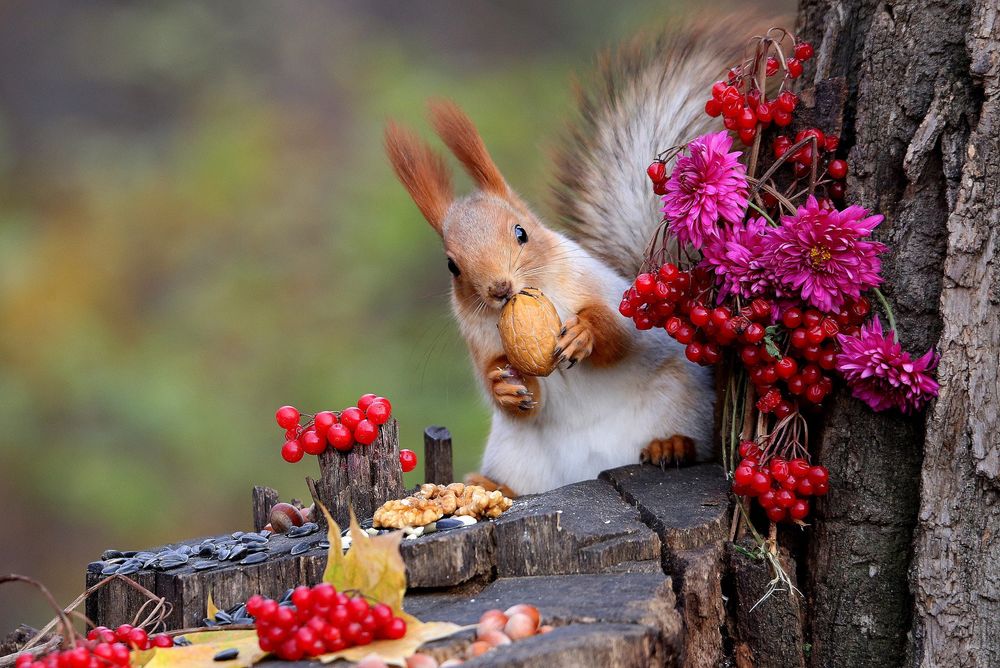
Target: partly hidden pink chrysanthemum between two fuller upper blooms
pixel 737 258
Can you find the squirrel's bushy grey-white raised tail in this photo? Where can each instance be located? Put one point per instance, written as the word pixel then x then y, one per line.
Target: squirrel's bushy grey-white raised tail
pixel 647 96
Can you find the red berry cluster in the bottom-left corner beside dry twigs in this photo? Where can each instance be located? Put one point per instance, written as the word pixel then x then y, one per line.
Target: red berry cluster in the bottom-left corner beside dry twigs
pixel 104 647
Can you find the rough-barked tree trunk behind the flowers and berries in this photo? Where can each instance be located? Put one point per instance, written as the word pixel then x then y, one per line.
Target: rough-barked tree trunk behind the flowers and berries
pixel 923 147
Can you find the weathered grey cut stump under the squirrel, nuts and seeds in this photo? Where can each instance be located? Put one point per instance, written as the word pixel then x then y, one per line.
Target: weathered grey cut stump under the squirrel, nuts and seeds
pixel 590 555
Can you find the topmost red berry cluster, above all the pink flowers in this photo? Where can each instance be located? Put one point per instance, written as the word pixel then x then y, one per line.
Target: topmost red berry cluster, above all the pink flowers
pixel 745 108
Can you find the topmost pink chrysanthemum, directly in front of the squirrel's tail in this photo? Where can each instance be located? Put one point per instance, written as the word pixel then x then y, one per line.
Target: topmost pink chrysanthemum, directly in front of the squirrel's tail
pixel 706 186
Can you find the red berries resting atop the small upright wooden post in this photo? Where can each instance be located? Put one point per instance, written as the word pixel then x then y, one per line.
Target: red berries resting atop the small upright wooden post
pixel 355 424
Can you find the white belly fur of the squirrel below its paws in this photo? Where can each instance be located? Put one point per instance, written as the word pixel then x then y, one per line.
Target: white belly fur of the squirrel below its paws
pixel 594 419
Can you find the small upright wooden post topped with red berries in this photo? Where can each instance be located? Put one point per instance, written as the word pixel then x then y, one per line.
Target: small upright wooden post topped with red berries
pixel 363 478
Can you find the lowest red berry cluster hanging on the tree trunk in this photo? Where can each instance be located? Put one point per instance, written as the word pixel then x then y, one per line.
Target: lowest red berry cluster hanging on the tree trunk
pixel 781 486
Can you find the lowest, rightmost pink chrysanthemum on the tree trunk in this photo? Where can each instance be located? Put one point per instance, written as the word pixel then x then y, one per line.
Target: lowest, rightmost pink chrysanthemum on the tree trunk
pixel 882 374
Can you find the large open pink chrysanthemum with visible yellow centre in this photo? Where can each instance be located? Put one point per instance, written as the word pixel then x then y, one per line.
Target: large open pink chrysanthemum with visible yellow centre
pixel 823 255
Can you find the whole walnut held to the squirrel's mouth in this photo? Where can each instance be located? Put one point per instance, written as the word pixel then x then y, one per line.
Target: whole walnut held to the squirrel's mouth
pixel 529 330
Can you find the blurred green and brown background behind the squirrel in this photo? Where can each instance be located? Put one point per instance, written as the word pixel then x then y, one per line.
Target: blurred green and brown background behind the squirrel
pixel 197 225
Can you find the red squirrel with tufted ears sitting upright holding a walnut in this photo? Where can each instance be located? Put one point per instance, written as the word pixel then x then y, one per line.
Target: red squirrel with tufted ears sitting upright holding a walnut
pixel 619 396
